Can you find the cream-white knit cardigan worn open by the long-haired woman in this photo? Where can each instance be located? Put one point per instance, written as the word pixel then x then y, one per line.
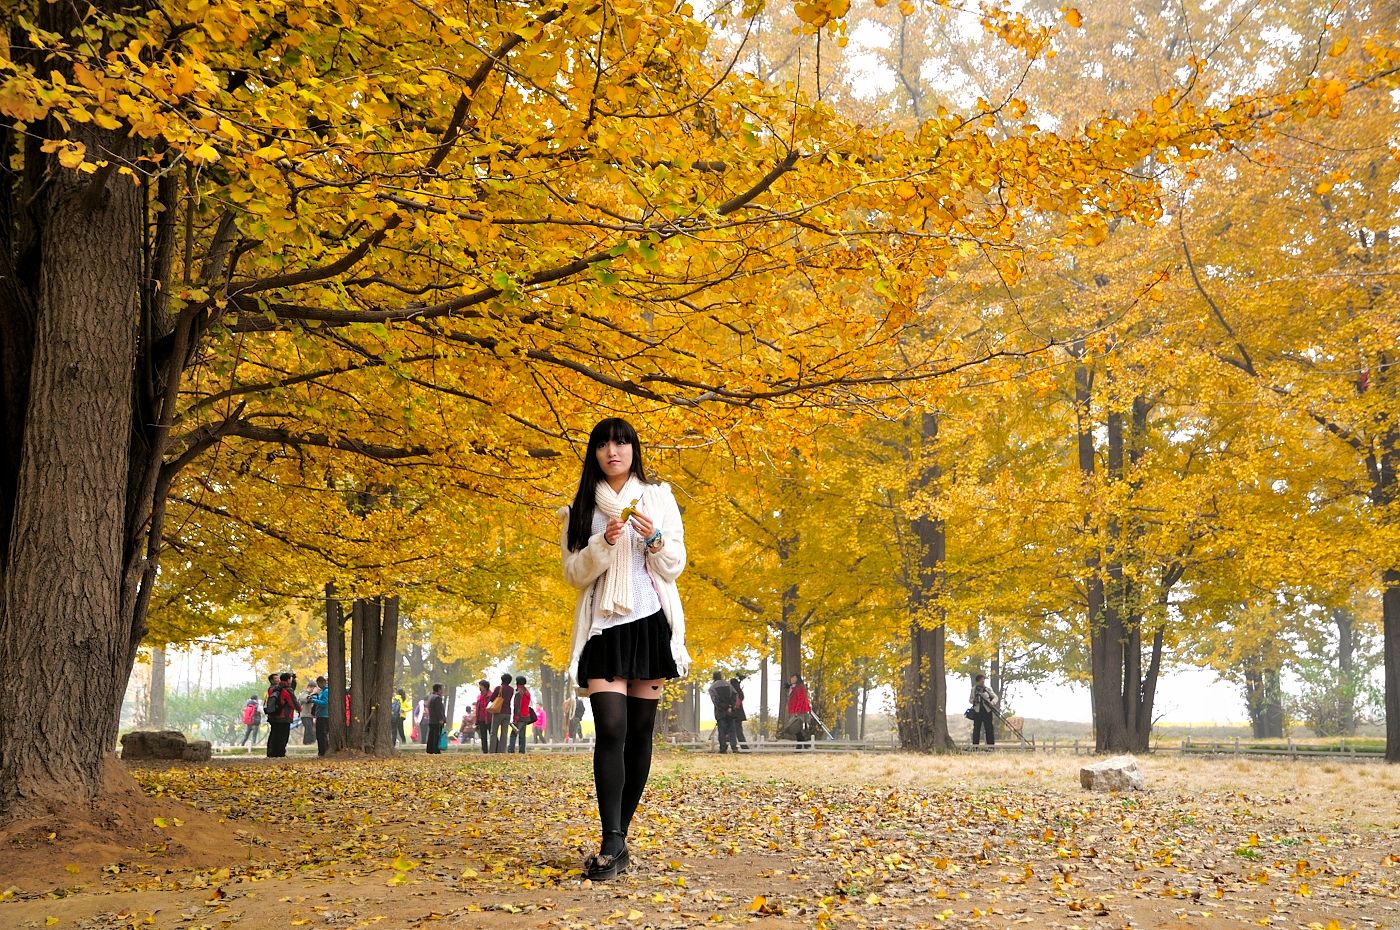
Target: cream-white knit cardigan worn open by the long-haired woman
pixel 583 568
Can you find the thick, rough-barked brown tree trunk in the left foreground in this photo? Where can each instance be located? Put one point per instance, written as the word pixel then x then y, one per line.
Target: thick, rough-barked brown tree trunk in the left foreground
pixel 69 571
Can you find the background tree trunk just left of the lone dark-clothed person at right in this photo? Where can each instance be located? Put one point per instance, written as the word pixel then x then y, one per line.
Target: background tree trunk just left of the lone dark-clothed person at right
pixel 923 701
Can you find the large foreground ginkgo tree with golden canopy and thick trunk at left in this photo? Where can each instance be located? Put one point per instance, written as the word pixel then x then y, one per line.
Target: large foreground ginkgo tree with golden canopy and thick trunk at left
pixel 429 236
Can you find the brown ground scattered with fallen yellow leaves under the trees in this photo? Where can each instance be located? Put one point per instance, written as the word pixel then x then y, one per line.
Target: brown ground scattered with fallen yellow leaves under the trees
pixel 765 842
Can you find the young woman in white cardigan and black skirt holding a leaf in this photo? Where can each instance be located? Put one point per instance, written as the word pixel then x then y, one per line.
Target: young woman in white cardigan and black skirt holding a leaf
pixel 624 548
